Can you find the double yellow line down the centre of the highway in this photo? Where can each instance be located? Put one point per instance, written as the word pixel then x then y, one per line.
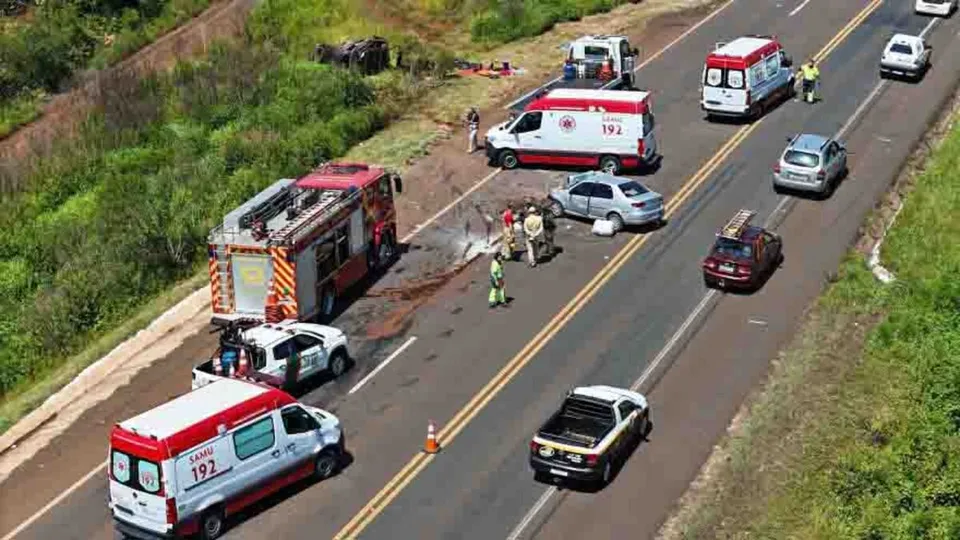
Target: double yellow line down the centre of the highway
pixel 392 489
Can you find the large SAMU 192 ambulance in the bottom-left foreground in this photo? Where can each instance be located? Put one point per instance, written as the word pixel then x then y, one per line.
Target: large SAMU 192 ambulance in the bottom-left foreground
pixel 183 467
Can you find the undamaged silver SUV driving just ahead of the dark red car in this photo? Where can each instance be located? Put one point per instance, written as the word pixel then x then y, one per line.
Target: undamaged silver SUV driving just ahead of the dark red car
pixel 811 163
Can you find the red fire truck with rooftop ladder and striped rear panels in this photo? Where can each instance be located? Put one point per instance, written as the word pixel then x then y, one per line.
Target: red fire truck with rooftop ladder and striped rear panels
pixel 303 242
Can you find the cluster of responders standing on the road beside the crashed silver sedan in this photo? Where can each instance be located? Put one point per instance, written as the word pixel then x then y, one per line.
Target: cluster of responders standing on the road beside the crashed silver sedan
pixel 537 228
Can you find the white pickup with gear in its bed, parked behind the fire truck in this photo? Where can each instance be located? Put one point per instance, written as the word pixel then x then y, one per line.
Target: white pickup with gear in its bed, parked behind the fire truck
pixel 281 355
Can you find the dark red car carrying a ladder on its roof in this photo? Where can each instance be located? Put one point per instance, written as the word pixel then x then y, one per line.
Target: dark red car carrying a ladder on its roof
pixel 742 255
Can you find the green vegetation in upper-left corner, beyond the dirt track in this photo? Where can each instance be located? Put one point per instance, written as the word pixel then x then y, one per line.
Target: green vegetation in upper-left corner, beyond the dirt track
pixel 44 45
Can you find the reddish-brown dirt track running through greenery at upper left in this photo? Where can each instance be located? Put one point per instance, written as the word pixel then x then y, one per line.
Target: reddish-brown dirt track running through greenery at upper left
pixel 224 19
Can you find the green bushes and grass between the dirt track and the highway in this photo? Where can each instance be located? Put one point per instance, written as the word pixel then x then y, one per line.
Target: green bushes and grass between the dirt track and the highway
pixel 111 219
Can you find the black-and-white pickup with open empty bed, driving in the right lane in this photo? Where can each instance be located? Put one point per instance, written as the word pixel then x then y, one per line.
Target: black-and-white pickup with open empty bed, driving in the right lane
pixel 590 433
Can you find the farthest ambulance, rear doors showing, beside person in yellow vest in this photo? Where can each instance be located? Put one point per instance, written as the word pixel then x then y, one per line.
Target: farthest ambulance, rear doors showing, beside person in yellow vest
pixel 744 77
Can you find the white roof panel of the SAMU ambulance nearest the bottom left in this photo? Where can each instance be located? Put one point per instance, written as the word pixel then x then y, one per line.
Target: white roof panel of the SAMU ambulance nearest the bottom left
pixel 179 414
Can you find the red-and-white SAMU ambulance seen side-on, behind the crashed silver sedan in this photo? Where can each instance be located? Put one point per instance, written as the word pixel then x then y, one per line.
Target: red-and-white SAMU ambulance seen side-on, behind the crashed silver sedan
pixel 609 129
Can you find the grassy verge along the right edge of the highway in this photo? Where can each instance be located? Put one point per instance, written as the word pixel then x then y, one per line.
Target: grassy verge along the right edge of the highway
pixel 857 433
